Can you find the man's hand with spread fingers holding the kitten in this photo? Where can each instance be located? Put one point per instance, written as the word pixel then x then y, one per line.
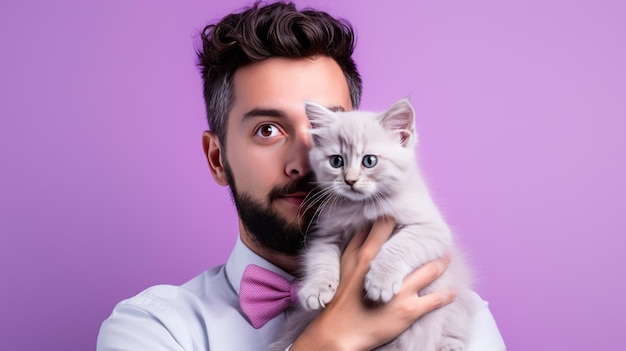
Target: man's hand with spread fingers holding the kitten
pixel 350 323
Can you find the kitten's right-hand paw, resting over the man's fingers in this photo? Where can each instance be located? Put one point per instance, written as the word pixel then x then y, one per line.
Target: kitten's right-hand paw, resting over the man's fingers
pixel 382 283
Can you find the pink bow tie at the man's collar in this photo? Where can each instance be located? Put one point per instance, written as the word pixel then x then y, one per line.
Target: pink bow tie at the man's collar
pixel 264 294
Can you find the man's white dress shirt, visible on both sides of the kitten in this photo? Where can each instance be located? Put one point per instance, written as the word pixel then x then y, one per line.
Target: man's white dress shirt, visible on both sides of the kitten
pixel 204 314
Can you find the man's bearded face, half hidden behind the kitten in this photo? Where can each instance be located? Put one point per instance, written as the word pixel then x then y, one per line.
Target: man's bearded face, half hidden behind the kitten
pixel 267 143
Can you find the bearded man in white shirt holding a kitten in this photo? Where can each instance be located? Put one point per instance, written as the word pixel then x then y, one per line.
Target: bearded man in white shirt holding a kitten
pixel 258 68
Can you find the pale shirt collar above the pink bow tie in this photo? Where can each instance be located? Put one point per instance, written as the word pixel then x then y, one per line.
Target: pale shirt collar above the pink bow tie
pixel 242 256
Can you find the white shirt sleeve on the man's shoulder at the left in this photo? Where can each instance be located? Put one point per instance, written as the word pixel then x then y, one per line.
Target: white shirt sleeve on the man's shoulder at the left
pixel 143 323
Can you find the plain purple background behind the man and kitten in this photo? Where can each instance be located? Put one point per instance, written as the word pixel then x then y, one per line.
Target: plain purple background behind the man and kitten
pixel 104 190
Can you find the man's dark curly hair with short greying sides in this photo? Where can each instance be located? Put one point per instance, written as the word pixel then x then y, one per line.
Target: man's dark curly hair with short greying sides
pixel 264 31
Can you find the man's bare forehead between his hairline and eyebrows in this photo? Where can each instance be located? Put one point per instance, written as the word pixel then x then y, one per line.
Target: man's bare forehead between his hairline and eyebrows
pixel 285 84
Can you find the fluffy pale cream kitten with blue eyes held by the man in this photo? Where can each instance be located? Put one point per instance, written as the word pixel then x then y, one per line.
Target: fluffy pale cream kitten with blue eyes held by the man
pixel 393 187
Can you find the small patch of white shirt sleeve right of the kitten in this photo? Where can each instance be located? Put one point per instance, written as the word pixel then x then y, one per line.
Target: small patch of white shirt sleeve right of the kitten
pixel 484 335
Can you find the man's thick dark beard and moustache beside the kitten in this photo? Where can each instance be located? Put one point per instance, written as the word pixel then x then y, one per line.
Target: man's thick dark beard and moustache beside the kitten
pixel 265 225
